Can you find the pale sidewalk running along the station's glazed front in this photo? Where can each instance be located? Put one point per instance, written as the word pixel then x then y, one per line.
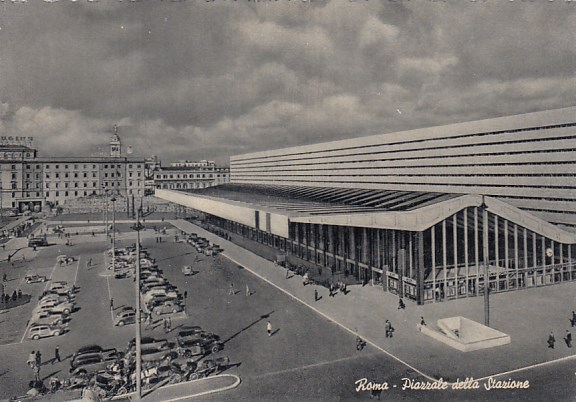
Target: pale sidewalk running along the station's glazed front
pixel 527 316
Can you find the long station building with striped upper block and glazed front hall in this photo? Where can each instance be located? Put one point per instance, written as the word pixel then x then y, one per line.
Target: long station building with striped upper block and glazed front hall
pixel 430 214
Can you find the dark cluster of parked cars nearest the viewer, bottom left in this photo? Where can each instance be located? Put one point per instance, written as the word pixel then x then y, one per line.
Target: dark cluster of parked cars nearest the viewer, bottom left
pixel 112 372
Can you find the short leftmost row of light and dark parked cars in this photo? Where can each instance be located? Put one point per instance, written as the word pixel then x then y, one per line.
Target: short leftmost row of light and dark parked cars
pixel 52 314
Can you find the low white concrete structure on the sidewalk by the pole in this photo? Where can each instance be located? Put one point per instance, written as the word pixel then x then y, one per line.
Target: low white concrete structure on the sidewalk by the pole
pixel 466 335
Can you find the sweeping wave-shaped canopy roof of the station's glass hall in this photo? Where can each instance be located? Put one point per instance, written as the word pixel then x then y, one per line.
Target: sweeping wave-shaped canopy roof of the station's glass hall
pixel 386 209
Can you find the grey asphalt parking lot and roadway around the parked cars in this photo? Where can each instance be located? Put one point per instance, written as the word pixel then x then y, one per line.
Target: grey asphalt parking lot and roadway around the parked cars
pixel 307 357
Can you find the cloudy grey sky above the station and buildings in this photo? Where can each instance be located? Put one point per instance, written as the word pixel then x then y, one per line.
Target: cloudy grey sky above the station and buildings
pixel 197 79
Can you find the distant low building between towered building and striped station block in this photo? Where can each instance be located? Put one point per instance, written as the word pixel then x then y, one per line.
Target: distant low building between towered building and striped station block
pixel 184 175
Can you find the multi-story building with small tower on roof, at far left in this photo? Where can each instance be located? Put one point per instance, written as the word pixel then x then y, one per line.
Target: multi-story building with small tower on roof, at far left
pixel 29 181
